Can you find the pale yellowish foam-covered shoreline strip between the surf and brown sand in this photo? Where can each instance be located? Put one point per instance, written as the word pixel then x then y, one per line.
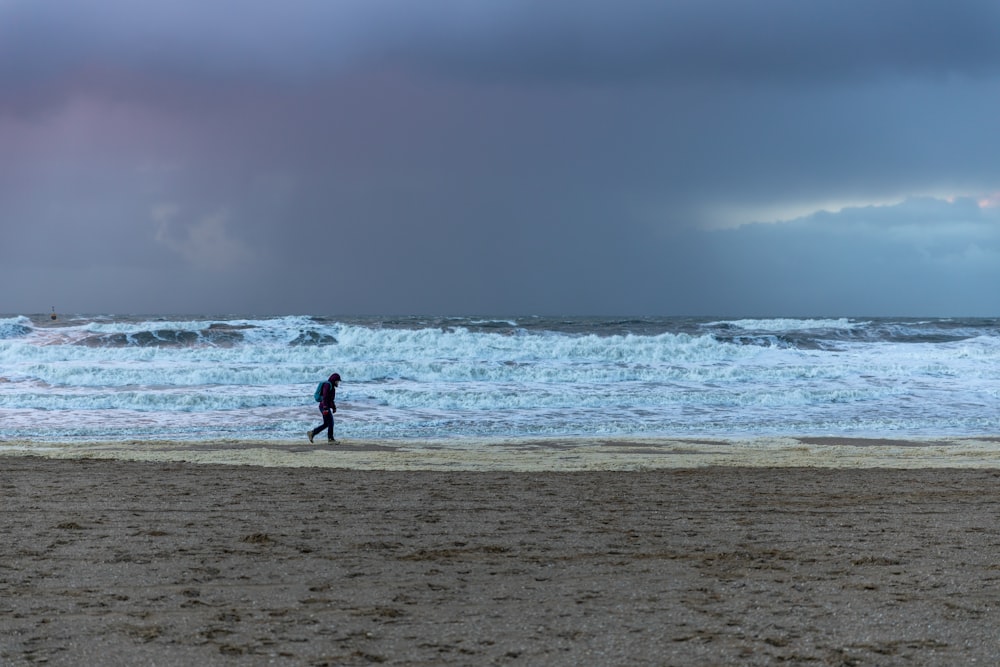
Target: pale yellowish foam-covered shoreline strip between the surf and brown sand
pixel 541 454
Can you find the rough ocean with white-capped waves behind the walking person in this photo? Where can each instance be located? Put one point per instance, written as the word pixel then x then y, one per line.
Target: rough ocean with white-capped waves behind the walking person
pixel 466 381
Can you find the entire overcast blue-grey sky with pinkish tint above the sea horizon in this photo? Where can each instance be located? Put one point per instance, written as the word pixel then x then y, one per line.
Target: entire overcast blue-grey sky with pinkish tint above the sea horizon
pixel 689 157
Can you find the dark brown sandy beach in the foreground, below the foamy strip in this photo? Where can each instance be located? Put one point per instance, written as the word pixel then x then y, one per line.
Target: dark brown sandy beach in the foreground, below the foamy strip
pixel 114 562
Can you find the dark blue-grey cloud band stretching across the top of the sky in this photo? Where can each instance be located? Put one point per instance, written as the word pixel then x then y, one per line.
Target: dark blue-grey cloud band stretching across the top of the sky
pixel 565 40
